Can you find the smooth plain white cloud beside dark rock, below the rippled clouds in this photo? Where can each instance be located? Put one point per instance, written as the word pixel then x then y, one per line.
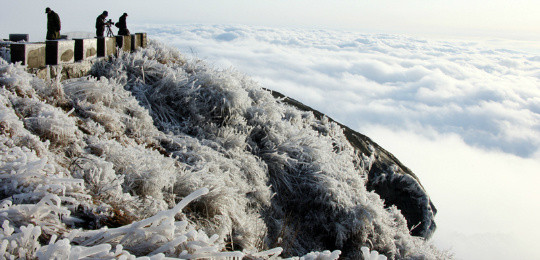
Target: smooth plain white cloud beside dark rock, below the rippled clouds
pixel 486 201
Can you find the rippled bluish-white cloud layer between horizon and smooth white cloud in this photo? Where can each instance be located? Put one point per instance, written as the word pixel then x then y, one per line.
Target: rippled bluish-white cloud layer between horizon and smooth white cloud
pixel 490 97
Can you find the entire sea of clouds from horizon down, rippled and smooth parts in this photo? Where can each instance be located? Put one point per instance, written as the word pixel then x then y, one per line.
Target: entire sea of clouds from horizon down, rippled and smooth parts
pixel 464 115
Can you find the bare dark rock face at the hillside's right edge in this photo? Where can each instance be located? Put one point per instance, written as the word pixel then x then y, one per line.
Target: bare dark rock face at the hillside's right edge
pixel 387 176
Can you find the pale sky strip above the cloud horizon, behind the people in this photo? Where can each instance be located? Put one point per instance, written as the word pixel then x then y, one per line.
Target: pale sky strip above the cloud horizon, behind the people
pixel 517 19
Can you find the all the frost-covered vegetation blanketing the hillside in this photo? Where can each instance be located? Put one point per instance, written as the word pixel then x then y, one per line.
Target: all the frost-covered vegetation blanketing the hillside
pixel 158 156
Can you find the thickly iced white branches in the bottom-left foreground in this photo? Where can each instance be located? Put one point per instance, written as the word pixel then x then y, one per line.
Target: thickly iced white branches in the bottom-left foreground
pixel 153 236
